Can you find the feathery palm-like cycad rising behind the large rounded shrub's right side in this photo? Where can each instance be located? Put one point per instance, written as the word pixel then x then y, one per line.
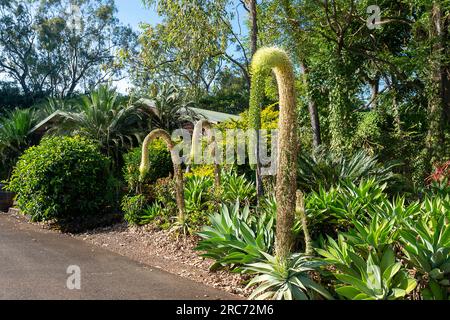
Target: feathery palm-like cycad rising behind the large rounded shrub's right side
pixel 102 117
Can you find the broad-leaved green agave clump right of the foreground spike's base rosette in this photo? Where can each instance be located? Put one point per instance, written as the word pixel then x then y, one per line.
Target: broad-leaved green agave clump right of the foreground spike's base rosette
pixel 366 266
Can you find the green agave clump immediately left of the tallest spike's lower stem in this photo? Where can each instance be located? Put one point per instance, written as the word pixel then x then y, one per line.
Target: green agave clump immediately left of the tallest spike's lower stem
pixel 236 237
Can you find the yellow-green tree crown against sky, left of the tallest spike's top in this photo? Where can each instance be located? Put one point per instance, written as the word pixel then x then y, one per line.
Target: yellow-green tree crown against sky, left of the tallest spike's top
pixel 192 58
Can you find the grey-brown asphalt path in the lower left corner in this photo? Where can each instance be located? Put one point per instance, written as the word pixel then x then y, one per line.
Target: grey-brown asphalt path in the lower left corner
pixel 34 265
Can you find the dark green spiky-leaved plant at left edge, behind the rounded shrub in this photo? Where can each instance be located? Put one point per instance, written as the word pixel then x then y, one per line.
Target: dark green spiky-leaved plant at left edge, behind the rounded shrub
pixel 15 137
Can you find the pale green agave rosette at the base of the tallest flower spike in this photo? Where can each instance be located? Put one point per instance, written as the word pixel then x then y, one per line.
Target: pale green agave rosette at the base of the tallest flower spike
pixel 286 279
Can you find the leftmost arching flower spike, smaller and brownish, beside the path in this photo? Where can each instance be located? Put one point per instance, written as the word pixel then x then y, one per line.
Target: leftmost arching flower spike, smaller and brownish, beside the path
pixel 178 173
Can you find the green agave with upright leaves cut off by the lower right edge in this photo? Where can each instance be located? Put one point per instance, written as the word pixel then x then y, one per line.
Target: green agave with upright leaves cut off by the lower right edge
pixel 427 247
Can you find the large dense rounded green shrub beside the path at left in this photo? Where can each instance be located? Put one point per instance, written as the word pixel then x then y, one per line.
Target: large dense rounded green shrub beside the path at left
pixel 63 178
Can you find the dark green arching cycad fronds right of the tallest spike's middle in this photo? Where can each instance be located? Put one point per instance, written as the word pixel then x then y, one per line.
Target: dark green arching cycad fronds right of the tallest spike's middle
pixel 327 169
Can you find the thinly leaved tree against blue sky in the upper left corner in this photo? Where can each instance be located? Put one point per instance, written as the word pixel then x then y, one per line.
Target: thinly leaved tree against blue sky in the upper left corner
pixel 47 50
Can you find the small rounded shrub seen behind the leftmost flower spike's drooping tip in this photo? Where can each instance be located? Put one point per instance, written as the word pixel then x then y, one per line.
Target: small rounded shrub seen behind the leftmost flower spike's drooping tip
pixel 160 164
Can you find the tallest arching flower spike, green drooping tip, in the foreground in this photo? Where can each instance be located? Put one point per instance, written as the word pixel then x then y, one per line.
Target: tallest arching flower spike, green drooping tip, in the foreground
pixel 265 60
